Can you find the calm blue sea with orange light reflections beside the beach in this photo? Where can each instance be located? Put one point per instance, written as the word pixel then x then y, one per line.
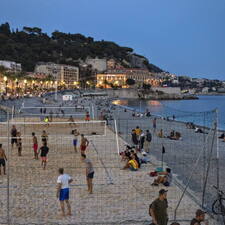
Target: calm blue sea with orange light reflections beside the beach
pixel 198 111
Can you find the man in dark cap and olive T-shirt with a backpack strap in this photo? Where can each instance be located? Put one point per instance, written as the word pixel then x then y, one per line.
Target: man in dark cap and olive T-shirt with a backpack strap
pixel 158 209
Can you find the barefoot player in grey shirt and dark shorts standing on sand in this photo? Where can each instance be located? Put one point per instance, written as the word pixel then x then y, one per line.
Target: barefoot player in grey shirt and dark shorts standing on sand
pixel 89 173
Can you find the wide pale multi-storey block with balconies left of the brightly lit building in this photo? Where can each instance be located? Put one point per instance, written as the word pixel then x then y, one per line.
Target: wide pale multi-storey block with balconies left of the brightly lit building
pixel 61 73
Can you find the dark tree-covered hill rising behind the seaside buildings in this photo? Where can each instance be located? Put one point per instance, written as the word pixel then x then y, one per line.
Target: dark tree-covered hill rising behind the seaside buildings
pixel 30 45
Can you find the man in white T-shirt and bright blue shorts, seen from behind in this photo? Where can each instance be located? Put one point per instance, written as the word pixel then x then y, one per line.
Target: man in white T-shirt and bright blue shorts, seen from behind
pixel 62 193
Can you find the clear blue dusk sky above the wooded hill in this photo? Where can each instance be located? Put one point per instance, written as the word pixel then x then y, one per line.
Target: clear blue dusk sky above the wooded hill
pixel 185 37
